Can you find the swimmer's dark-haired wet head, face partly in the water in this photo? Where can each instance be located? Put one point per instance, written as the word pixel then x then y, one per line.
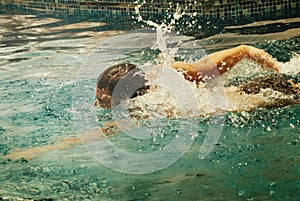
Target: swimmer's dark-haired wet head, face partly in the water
pixel 118 83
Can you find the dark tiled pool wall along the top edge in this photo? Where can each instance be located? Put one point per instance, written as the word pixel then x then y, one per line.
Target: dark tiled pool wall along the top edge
pixel 209 9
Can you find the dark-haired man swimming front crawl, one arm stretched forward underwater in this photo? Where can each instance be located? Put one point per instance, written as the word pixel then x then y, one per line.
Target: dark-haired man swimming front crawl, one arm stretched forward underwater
pixel 196 72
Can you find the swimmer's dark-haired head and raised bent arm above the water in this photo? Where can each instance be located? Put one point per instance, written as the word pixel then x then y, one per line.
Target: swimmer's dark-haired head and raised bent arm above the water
pixel 214 64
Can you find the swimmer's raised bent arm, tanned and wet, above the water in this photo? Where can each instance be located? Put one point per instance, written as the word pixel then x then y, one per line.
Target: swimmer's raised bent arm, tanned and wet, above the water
pixel 224 60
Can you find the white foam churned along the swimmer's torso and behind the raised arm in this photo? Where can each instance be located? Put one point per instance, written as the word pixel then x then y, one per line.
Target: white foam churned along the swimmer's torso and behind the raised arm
pixel 161 103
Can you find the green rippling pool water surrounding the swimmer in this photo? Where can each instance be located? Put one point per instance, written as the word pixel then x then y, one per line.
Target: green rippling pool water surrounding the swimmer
pixel 256 157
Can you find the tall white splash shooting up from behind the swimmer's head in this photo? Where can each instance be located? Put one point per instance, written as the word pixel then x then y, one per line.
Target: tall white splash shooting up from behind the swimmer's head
pixel 162 75
